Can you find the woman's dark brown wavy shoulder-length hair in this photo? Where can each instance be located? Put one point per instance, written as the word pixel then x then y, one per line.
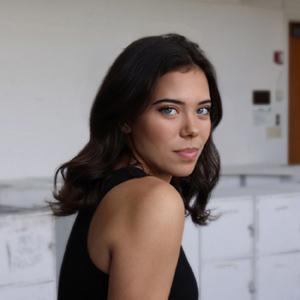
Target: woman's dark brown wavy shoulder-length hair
pixel 123 95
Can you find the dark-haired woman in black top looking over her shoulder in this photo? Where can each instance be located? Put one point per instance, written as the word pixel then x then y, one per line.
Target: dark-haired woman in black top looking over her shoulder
pixel 149 155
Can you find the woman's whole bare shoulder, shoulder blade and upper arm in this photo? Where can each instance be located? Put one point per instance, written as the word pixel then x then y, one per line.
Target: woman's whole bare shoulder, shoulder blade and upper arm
pixel 140 222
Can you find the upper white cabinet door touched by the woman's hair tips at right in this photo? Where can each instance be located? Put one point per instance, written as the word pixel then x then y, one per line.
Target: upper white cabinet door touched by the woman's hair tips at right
pixel 219 238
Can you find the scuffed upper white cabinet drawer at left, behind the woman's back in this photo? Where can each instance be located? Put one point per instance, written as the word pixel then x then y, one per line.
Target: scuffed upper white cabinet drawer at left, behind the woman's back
pixel 27 249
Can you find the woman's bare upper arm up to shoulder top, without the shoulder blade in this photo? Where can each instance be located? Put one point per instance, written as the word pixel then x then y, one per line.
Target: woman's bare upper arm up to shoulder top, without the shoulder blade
pixel 146 250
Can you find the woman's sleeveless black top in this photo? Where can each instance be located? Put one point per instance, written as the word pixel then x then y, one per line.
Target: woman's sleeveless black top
pixel 80 279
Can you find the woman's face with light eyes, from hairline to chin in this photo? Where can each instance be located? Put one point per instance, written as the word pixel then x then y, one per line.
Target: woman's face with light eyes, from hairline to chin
pixel 168 137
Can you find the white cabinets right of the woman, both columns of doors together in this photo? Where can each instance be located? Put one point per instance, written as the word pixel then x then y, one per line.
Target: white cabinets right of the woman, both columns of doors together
pixel 253 250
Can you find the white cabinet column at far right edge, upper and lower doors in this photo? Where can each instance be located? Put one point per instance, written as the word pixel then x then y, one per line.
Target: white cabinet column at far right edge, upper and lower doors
pixel 278 246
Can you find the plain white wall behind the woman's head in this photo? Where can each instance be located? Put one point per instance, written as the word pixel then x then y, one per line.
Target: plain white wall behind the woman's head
pixel 53 56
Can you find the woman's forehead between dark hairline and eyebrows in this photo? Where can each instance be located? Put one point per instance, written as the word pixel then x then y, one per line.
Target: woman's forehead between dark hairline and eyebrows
pixel 184 85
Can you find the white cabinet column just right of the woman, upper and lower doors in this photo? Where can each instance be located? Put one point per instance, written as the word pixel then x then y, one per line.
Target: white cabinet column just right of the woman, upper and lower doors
pixel 226 250
